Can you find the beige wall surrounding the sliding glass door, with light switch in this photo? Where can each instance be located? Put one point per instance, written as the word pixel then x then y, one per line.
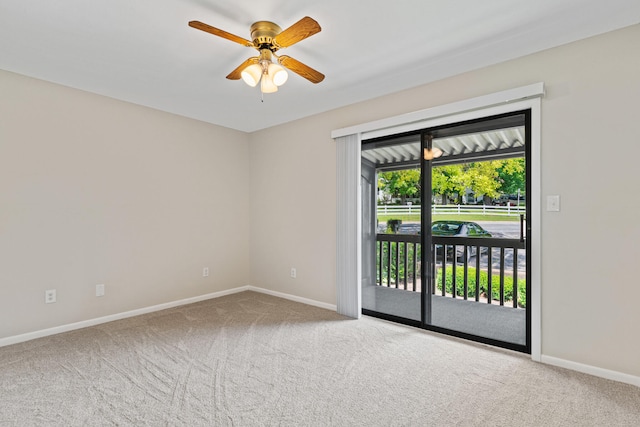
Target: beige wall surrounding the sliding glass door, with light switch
pixel 590 149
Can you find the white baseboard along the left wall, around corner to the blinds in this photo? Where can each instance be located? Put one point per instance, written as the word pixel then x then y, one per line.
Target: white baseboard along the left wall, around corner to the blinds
pixel 118 316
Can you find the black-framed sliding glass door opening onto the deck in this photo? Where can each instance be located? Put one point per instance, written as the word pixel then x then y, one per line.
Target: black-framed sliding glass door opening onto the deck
pixel 451 209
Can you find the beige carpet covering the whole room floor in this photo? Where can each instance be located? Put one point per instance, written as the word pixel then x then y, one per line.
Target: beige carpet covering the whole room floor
pixel 254 360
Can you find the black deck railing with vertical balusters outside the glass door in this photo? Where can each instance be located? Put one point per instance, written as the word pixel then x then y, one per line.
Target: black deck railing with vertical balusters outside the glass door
pixel 478 269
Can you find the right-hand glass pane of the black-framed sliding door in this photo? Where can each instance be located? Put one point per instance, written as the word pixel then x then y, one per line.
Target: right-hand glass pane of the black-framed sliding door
pixel 479 259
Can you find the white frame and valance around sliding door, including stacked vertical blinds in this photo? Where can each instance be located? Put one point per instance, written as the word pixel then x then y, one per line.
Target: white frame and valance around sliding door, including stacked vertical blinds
pixel 348 201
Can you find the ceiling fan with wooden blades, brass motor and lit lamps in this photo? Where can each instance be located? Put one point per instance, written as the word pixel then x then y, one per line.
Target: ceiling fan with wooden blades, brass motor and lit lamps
pixel 267 39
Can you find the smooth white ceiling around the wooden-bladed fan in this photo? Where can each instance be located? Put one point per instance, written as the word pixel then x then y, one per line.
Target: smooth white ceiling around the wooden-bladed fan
pixel 143 51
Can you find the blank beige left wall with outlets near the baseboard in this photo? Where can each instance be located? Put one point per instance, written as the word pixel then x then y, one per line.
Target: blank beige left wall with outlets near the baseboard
pixel 94 190
